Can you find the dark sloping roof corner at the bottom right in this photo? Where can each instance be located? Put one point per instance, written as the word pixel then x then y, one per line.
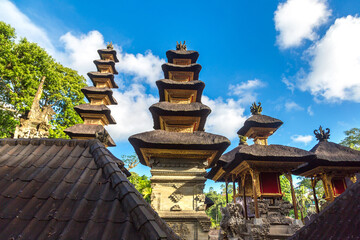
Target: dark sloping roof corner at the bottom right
pixel 339 220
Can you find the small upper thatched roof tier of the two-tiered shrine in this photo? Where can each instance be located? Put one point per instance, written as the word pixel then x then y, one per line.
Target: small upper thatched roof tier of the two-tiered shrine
pixel 261 121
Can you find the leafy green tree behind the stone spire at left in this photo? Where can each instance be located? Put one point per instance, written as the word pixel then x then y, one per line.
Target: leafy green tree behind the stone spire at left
pixel 22 65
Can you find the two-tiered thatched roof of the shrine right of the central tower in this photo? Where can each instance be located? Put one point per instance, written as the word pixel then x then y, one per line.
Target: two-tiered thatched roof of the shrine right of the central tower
pixel 274 157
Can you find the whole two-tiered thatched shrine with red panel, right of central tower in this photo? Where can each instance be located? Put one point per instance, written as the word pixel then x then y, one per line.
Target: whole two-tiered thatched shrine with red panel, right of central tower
pixel 256 169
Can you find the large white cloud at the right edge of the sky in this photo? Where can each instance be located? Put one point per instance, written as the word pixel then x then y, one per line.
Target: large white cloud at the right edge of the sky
pixel 335 63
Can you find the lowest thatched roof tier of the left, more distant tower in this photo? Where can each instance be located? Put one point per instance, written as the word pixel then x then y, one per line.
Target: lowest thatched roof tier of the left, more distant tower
pixel 88 131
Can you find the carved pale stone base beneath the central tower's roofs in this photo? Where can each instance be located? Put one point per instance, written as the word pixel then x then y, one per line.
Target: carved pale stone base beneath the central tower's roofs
pixel 177 196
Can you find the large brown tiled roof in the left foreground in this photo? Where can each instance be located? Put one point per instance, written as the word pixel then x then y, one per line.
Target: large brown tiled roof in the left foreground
pixel 70 189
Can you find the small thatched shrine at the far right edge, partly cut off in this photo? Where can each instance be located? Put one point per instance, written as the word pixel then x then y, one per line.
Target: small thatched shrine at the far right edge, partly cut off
pixel 333 163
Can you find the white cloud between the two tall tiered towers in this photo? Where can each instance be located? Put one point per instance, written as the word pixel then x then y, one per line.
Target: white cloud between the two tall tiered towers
pixel 132 112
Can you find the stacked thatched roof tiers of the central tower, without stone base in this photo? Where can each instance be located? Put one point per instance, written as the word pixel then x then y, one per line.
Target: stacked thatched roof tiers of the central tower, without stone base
pixel 179 117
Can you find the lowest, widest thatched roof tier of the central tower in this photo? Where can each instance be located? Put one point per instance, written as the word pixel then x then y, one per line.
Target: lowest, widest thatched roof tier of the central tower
pixel 160 139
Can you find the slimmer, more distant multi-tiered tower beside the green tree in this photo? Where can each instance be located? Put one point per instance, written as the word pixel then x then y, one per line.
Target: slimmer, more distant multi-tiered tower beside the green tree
pixel 96 114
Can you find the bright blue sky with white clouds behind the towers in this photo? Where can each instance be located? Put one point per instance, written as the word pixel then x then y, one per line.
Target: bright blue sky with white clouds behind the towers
pixel 300 58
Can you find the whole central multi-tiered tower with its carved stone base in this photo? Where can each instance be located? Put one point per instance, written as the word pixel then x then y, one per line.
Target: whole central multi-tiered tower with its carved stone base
pixel 178 150
